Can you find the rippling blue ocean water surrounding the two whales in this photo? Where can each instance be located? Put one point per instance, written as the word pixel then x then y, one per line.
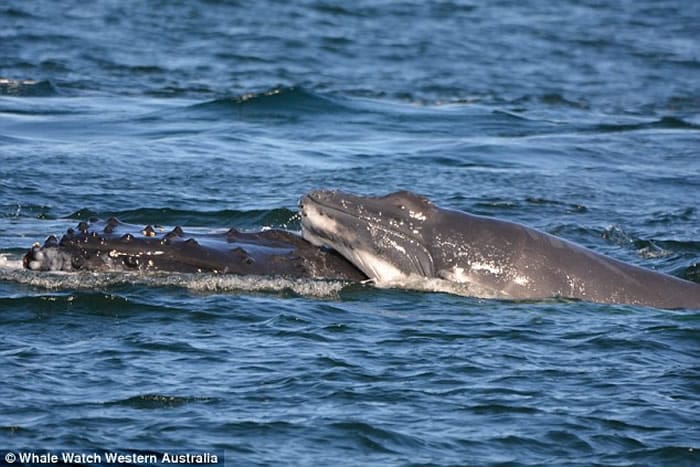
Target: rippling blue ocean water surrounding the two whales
pixel 580 118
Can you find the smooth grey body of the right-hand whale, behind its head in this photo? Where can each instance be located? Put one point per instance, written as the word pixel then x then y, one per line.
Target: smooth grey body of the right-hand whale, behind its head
pixel 515 261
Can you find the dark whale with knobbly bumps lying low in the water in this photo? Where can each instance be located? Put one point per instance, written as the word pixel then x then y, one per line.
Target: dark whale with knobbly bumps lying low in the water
pixel 115 246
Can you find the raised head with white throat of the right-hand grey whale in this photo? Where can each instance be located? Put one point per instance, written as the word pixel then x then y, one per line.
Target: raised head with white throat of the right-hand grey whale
pixel 382 236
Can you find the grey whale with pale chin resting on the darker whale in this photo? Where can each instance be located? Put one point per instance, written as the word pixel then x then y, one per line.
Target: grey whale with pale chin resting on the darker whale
pixel 402 236
